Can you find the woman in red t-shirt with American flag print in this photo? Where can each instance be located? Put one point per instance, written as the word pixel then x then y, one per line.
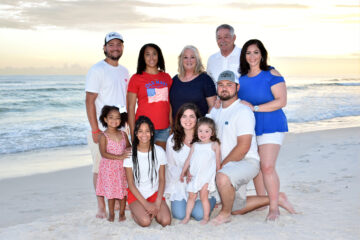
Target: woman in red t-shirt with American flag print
pixel 149 87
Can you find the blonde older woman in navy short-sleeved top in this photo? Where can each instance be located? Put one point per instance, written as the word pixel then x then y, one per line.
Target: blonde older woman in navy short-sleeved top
pixel 192 84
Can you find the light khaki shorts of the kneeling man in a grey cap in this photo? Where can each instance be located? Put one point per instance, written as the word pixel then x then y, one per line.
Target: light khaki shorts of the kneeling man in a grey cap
pixel 240 174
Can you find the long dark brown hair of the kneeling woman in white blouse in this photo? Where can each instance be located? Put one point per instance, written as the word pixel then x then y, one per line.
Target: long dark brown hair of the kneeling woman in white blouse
pixel 179 133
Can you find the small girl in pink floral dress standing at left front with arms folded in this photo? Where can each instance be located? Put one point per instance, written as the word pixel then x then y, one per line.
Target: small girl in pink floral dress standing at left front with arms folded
pixel 111 182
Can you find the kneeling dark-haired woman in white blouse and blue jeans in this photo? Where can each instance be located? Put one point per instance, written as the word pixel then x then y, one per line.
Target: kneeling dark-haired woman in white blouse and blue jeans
pixel 177 150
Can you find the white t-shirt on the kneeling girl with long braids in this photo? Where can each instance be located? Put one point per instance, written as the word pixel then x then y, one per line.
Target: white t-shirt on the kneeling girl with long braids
pixel 145 187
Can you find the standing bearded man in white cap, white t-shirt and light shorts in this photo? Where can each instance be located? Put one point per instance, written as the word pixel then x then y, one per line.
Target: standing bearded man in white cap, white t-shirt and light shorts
pixel 106 84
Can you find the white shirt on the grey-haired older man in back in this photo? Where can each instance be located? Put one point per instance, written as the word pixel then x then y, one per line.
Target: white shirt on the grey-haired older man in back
pixel 217 63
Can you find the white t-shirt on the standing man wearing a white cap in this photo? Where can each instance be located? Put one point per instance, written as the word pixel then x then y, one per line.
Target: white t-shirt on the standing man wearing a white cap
pixel 110 83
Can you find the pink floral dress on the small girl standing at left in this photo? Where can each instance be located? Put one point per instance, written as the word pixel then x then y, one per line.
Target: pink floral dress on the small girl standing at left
pixel 111 182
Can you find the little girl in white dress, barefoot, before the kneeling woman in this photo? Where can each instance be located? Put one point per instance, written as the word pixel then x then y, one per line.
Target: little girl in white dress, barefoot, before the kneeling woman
pixel 204 161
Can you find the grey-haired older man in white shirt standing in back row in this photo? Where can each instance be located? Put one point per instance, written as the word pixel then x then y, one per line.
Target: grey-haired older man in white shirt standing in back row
pixel 228 58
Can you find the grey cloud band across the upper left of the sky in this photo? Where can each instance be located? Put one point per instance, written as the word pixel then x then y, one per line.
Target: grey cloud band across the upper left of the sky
pixel 83 14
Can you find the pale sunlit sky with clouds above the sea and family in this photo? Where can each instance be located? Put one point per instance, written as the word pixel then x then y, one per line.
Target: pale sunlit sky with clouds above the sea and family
pixel 303 38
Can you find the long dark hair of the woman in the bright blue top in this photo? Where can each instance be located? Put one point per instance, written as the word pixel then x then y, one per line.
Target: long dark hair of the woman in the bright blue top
pixel 244 65
